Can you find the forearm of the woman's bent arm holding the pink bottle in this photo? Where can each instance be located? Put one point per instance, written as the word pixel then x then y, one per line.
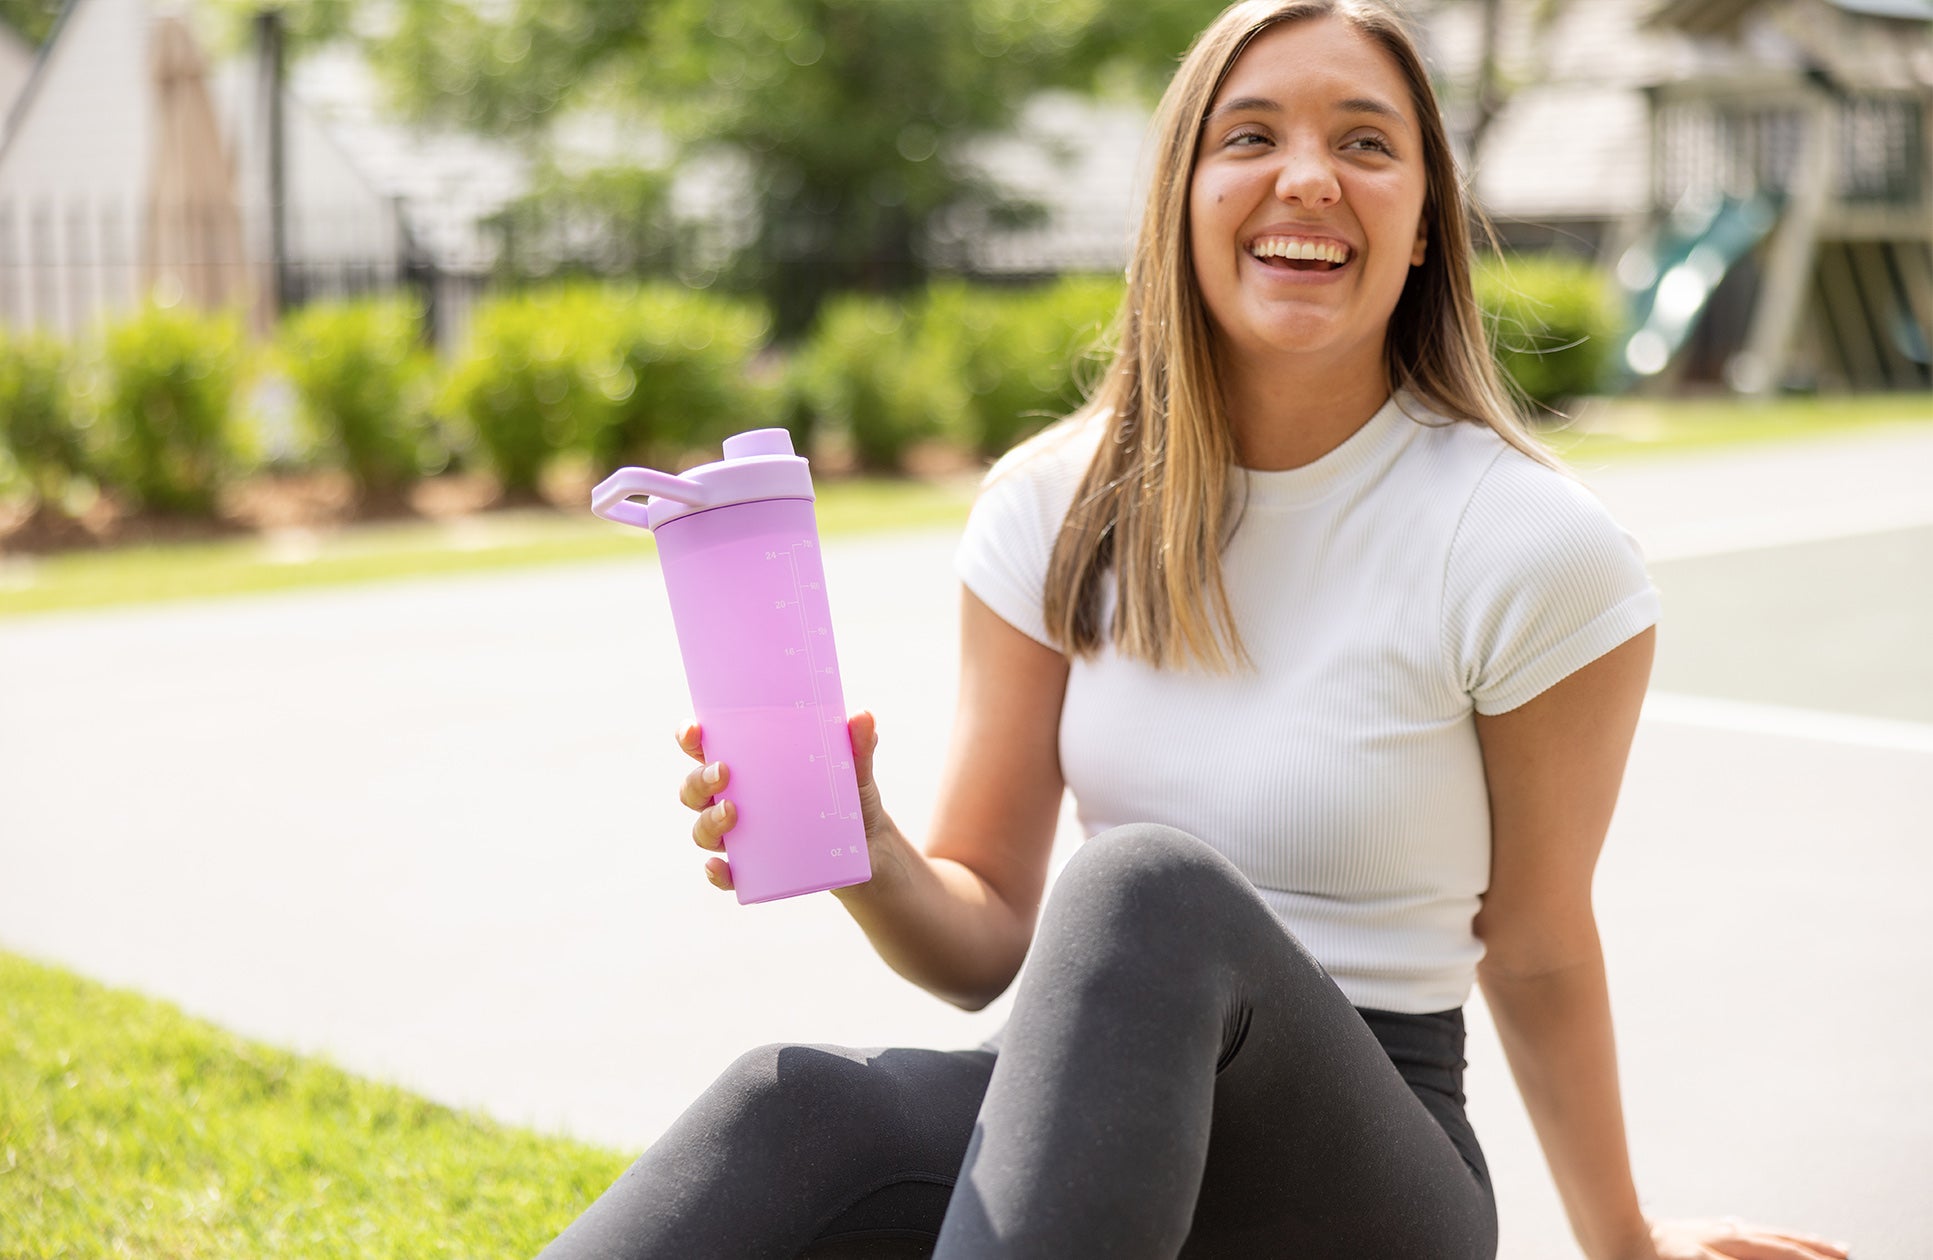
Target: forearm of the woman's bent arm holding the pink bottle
pixel 937 923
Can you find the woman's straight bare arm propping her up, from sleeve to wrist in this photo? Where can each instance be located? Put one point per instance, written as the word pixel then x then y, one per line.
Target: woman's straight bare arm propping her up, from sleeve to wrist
pixel 1555 768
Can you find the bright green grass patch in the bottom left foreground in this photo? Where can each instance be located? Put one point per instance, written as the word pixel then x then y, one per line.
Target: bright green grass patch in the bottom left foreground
pixel 129 1130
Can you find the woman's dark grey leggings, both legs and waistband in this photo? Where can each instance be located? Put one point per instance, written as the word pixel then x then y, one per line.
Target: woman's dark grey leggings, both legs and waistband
pixel 1178 1077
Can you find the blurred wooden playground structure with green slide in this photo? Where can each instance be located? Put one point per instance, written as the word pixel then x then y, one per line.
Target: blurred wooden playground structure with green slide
pixel 1791 237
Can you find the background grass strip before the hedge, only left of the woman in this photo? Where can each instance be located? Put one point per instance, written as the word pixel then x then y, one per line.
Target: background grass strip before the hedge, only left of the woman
pixel 364 554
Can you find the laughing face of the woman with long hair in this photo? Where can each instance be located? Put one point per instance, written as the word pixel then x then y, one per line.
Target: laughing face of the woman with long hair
pixel 1306 212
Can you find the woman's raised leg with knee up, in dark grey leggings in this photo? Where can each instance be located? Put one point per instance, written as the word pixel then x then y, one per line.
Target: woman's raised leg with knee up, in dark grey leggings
pixel 1182 1079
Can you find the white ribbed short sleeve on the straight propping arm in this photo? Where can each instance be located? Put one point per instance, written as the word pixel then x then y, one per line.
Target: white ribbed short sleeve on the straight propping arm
pixel 1540 583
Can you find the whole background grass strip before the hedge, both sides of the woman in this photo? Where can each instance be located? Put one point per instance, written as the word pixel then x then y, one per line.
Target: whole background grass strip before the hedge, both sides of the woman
pixel 1600 434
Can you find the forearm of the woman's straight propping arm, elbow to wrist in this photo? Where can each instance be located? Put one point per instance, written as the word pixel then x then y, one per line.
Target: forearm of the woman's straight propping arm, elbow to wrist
pixel 1557 1035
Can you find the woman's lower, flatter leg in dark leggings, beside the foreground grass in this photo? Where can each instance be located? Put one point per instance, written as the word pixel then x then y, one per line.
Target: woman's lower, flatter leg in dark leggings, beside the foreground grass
pixel 853 1149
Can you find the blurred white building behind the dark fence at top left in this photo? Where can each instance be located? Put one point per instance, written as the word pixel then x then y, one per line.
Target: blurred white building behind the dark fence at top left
pixel 130 169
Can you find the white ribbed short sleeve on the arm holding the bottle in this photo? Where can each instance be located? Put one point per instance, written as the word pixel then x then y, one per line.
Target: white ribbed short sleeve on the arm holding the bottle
pixel 1014 525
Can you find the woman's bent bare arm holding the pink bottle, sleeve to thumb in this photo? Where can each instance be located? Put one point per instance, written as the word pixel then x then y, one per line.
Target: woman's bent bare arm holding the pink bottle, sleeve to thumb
pixel 958 919
